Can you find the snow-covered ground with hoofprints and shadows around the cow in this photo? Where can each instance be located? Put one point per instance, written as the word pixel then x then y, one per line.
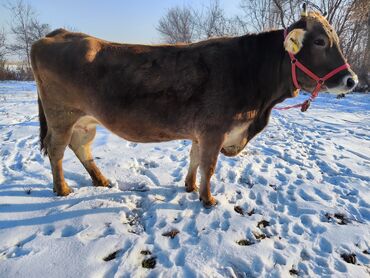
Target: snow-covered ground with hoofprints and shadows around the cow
pixel 303 186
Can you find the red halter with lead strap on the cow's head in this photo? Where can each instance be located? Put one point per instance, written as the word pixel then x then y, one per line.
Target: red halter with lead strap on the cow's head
pixel 319 80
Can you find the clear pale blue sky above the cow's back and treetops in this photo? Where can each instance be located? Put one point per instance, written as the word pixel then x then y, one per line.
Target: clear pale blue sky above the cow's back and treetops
pixel 116 20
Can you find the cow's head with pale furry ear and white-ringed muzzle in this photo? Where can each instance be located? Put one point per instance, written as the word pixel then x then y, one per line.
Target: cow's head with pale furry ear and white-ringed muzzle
pixel 315 44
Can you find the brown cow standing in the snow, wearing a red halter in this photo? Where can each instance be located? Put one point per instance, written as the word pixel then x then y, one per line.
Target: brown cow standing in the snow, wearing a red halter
pixel 218 93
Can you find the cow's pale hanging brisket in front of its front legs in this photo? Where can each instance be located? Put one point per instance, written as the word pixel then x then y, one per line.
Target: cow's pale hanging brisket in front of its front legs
pixel 236 140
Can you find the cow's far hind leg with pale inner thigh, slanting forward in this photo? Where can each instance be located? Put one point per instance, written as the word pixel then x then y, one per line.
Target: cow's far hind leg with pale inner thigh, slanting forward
pixel 82 137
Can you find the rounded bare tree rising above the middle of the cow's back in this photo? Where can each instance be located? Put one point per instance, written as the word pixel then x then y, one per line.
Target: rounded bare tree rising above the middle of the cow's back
pixel 177 25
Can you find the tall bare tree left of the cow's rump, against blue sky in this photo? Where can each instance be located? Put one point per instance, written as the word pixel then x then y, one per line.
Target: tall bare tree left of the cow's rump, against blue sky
pixel 26 29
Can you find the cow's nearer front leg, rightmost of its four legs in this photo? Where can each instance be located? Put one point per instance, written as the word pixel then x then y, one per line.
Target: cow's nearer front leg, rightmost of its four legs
pixel 209 149
